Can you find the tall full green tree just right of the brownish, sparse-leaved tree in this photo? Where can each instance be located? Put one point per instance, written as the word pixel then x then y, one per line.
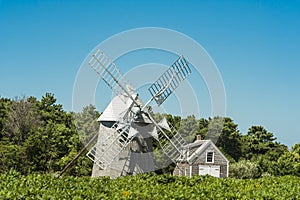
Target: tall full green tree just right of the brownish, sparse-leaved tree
pixel 53 138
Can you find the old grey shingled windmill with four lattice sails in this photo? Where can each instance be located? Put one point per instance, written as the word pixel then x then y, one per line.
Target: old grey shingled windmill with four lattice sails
pixel 127 127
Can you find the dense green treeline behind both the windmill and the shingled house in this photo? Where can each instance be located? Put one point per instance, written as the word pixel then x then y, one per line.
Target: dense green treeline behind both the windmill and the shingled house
pixel 39 136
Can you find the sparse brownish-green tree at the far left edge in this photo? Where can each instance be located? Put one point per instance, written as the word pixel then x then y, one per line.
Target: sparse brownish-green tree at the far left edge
pixel 19 120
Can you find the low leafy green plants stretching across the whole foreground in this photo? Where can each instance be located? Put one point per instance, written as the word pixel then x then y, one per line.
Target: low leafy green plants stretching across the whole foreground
pixel 146 186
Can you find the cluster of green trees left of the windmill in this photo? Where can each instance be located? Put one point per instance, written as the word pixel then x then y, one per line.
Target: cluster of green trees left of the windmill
pixel 39 136
